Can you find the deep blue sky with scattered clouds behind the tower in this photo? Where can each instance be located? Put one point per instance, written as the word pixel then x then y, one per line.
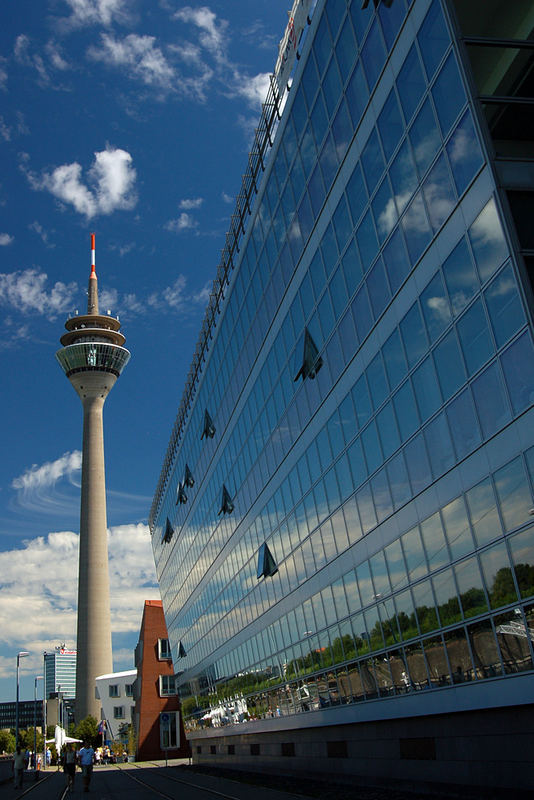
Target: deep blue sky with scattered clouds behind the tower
pixel 131 119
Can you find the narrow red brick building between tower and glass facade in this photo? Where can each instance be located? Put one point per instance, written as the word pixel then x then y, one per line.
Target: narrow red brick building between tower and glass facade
pixel 157 718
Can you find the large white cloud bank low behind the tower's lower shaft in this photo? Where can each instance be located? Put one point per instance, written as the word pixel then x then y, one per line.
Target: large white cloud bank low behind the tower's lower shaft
pixel 32 592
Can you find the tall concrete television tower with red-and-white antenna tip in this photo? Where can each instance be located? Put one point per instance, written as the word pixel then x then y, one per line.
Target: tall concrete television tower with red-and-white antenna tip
pixel 92 358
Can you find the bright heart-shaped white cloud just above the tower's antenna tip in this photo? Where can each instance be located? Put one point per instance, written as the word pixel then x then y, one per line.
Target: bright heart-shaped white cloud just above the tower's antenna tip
pixel 111 181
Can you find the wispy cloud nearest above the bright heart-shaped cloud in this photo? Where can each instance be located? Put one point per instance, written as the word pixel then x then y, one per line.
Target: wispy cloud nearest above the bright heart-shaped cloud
pixel 140 55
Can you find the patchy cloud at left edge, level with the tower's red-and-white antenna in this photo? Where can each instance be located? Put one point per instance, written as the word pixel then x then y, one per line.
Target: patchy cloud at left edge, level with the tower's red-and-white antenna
pixel 26 291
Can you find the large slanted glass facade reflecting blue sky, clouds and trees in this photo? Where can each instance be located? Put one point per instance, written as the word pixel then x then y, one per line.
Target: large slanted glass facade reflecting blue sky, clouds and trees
pixel 345 512
